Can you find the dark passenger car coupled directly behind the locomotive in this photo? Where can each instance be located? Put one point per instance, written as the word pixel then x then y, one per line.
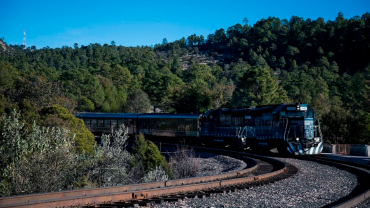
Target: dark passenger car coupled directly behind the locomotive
pixel 167 125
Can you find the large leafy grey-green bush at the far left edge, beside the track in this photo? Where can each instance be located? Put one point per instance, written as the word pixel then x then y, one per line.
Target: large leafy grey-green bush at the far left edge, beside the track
pixel 37 160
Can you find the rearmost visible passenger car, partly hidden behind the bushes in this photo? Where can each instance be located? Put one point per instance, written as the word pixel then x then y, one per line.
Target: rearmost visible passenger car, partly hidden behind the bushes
pixel 103 123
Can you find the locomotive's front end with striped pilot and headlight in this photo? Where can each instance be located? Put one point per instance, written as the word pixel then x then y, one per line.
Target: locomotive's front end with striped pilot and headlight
pixel 302 133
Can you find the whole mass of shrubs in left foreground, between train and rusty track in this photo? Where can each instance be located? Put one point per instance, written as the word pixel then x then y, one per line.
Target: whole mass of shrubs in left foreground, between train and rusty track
pixel 43 159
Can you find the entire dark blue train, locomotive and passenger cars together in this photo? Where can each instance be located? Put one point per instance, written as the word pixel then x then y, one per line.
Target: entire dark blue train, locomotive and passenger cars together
pixel 288 128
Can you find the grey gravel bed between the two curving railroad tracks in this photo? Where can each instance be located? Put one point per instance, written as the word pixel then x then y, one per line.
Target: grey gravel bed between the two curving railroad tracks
pixel 314 185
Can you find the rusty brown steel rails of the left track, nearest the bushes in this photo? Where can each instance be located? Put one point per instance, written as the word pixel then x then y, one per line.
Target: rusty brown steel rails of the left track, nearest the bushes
pixel 146 190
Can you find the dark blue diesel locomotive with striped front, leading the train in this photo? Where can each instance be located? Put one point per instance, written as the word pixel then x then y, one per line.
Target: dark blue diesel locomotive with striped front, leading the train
pixel 291 128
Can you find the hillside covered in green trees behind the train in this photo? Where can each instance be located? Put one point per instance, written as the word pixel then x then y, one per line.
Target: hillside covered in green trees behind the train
pixel 326 64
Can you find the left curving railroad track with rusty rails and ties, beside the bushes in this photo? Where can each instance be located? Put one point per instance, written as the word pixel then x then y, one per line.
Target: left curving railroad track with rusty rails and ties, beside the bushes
pixel 260 170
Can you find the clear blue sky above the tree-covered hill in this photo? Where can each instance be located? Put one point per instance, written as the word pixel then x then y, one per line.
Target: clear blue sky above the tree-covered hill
pixel 56 23
